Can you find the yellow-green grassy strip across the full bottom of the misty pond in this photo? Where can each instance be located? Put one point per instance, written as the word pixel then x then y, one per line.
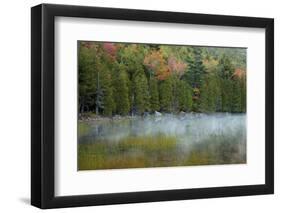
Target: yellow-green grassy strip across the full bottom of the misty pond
pixel 158 151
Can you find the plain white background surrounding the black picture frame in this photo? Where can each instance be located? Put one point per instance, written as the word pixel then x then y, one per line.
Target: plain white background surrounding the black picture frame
pixel 15 105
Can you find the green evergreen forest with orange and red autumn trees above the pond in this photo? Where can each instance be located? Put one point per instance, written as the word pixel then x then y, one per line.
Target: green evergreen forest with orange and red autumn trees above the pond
pixel 136 79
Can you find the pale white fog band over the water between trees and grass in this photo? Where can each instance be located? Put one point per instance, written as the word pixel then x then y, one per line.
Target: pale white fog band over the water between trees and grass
pixel 188 128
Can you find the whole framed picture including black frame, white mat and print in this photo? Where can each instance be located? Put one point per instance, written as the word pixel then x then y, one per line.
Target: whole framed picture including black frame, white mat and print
pixel 139 106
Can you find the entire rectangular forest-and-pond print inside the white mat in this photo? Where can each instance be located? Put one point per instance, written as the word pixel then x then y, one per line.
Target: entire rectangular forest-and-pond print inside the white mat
pixel 154 105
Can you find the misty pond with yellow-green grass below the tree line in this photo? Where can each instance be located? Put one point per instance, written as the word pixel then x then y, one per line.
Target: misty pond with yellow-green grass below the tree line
pixel 186 139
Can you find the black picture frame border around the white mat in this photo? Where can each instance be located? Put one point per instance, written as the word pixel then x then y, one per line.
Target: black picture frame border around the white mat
pixel 43 102
